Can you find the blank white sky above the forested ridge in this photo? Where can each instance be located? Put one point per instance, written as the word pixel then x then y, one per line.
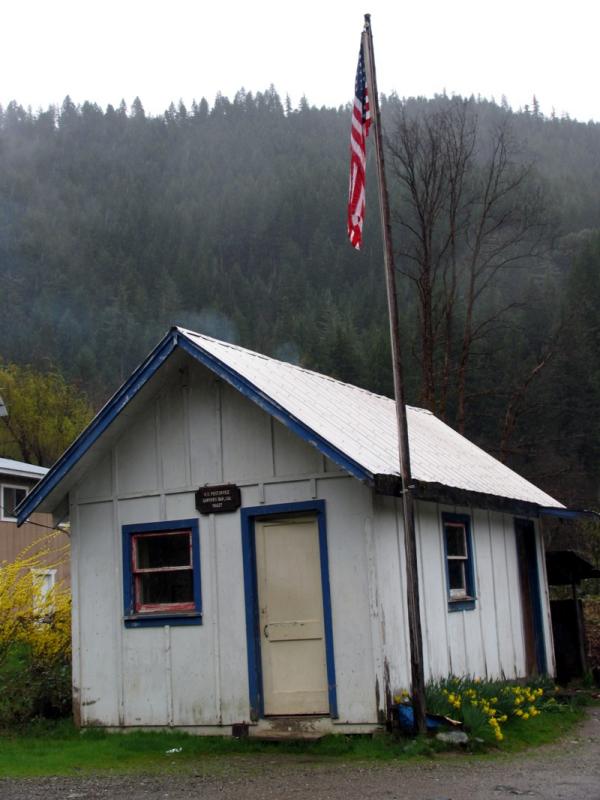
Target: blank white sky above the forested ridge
pixel 164 51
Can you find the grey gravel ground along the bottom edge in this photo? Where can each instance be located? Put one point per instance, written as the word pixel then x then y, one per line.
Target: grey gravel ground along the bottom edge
pixel 569 770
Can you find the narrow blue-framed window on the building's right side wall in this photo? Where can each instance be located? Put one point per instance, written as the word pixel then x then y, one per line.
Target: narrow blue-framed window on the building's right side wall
pixel 460 572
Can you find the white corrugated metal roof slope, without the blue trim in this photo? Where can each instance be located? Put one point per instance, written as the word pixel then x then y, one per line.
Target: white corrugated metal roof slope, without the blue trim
pixel 362 425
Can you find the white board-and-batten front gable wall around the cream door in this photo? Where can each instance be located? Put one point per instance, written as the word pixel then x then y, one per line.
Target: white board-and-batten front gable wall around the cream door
pixel 203 431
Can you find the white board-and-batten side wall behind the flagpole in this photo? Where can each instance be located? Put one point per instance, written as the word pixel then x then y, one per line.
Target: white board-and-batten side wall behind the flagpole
pixel 486 641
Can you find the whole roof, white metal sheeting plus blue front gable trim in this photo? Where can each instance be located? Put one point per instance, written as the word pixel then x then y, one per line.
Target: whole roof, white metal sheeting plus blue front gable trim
pixel 353 427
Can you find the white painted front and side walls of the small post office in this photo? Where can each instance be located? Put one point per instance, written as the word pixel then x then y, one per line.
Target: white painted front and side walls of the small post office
pixel 199 430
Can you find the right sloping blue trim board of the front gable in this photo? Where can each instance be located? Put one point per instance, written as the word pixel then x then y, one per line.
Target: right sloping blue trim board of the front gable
pixel 247 388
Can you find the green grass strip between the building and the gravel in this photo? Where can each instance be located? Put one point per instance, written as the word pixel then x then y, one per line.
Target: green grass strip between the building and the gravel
pixel 59 749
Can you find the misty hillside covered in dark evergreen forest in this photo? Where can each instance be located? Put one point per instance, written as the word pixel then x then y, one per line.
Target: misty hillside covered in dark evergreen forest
pixel 230 219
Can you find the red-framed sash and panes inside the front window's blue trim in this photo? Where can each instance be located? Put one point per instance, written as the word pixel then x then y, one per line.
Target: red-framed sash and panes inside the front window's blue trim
pixel 163 572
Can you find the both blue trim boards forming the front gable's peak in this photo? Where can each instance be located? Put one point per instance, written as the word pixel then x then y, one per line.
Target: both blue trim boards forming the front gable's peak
pixel 138 379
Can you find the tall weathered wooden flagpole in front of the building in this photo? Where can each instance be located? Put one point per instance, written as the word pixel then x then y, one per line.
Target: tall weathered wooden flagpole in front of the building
pixel 412 575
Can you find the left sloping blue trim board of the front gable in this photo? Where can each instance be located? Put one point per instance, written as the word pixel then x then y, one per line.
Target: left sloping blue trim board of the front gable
pixel 98 425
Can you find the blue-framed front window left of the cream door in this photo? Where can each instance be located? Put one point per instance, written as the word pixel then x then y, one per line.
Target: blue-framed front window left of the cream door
pixel 161 572
